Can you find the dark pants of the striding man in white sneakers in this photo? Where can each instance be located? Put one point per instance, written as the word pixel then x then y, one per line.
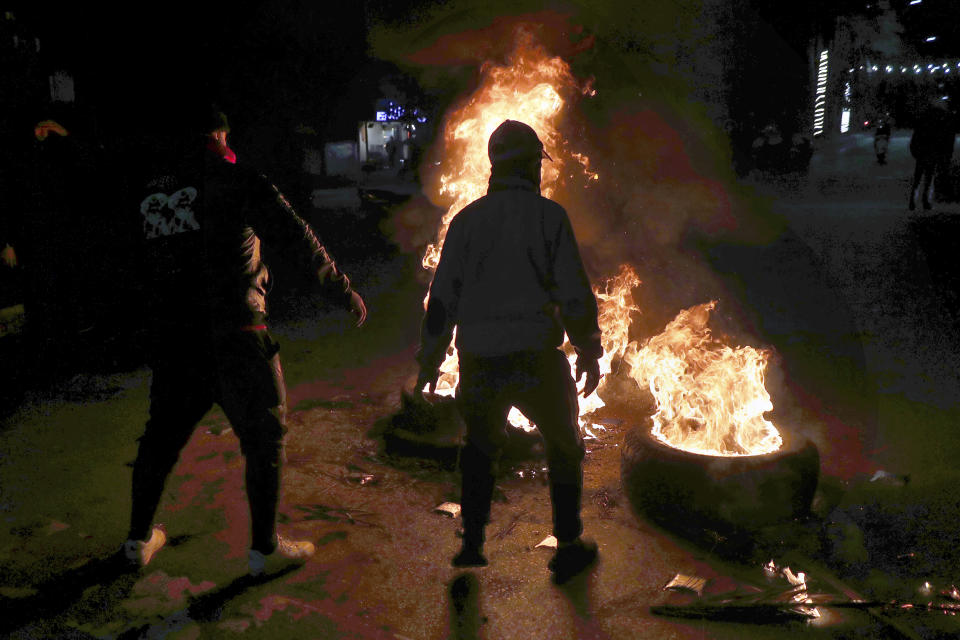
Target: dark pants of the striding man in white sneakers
pixel 242 374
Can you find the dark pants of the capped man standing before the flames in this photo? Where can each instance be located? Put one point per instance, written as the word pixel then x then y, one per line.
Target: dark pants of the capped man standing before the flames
pixel 539 384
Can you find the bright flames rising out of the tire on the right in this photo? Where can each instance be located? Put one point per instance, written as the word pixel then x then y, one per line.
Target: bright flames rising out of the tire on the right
pixel 710 397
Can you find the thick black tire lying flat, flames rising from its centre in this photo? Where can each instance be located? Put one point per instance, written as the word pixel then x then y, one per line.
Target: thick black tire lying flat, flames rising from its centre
pixel 674 486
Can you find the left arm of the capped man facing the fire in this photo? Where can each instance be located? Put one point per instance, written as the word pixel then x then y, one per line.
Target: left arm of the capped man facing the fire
pixel 436 330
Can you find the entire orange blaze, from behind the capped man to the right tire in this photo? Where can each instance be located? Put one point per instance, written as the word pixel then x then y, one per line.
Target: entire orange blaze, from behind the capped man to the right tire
pixel 710 397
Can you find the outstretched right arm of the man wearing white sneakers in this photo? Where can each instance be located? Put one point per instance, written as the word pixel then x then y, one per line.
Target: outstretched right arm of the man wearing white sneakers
pixel 280 226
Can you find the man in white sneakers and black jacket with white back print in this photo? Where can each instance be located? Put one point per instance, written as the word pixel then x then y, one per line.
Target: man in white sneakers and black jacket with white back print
pixel 202 218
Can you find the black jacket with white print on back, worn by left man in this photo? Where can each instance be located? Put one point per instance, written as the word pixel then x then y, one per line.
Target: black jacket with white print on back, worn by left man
pixel 203 219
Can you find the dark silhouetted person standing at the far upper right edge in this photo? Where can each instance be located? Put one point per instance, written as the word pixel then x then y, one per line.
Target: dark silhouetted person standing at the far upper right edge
pixel 932 147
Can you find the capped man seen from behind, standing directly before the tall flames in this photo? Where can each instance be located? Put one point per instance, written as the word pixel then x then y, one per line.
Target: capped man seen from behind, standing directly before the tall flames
pixel 511 280
